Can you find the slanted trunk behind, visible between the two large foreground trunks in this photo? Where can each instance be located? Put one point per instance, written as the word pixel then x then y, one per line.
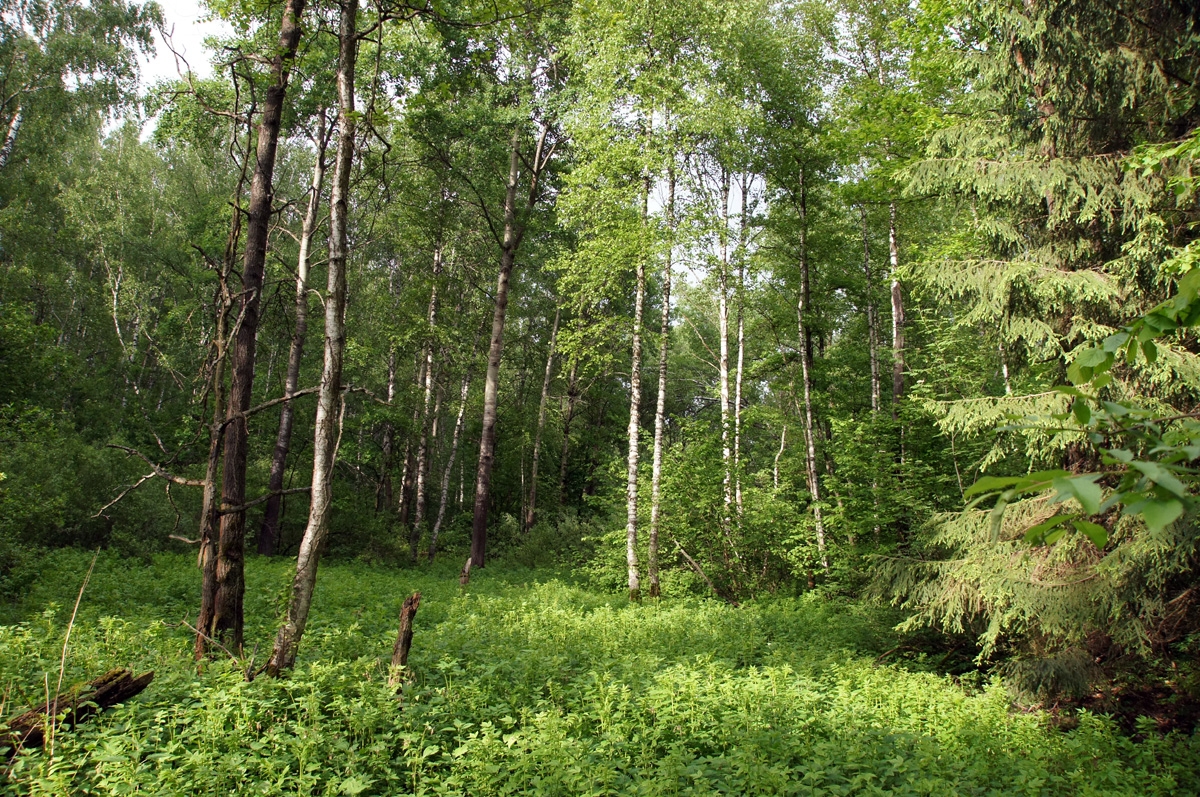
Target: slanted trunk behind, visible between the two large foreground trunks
pixel 269 532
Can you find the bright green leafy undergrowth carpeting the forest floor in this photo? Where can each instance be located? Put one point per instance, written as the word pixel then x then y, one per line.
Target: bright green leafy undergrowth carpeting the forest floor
pixel 525 684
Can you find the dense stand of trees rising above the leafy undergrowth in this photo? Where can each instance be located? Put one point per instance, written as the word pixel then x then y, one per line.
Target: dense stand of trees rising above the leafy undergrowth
pixel 721 299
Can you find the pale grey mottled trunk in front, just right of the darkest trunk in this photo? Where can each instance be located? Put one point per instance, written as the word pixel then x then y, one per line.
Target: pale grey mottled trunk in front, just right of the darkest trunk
pixel 329 403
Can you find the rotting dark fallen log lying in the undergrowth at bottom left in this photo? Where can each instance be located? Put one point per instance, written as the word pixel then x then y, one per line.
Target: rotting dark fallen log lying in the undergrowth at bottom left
pixel 73 708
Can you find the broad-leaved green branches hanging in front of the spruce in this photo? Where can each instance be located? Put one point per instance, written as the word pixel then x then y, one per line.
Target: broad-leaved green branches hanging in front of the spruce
pixel 1149 460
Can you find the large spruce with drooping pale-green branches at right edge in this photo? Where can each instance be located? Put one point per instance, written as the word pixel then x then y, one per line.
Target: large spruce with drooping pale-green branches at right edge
pixel 1065 176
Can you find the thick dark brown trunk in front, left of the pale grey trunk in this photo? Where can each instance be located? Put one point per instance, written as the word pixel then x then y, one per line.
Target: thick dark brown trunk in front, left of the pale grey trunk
pixel 231 584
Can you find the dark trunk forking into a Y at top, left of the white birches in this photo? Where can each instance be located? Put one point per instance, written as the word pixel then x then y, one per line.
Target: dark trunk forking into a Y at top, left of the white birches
pixel 514 231
